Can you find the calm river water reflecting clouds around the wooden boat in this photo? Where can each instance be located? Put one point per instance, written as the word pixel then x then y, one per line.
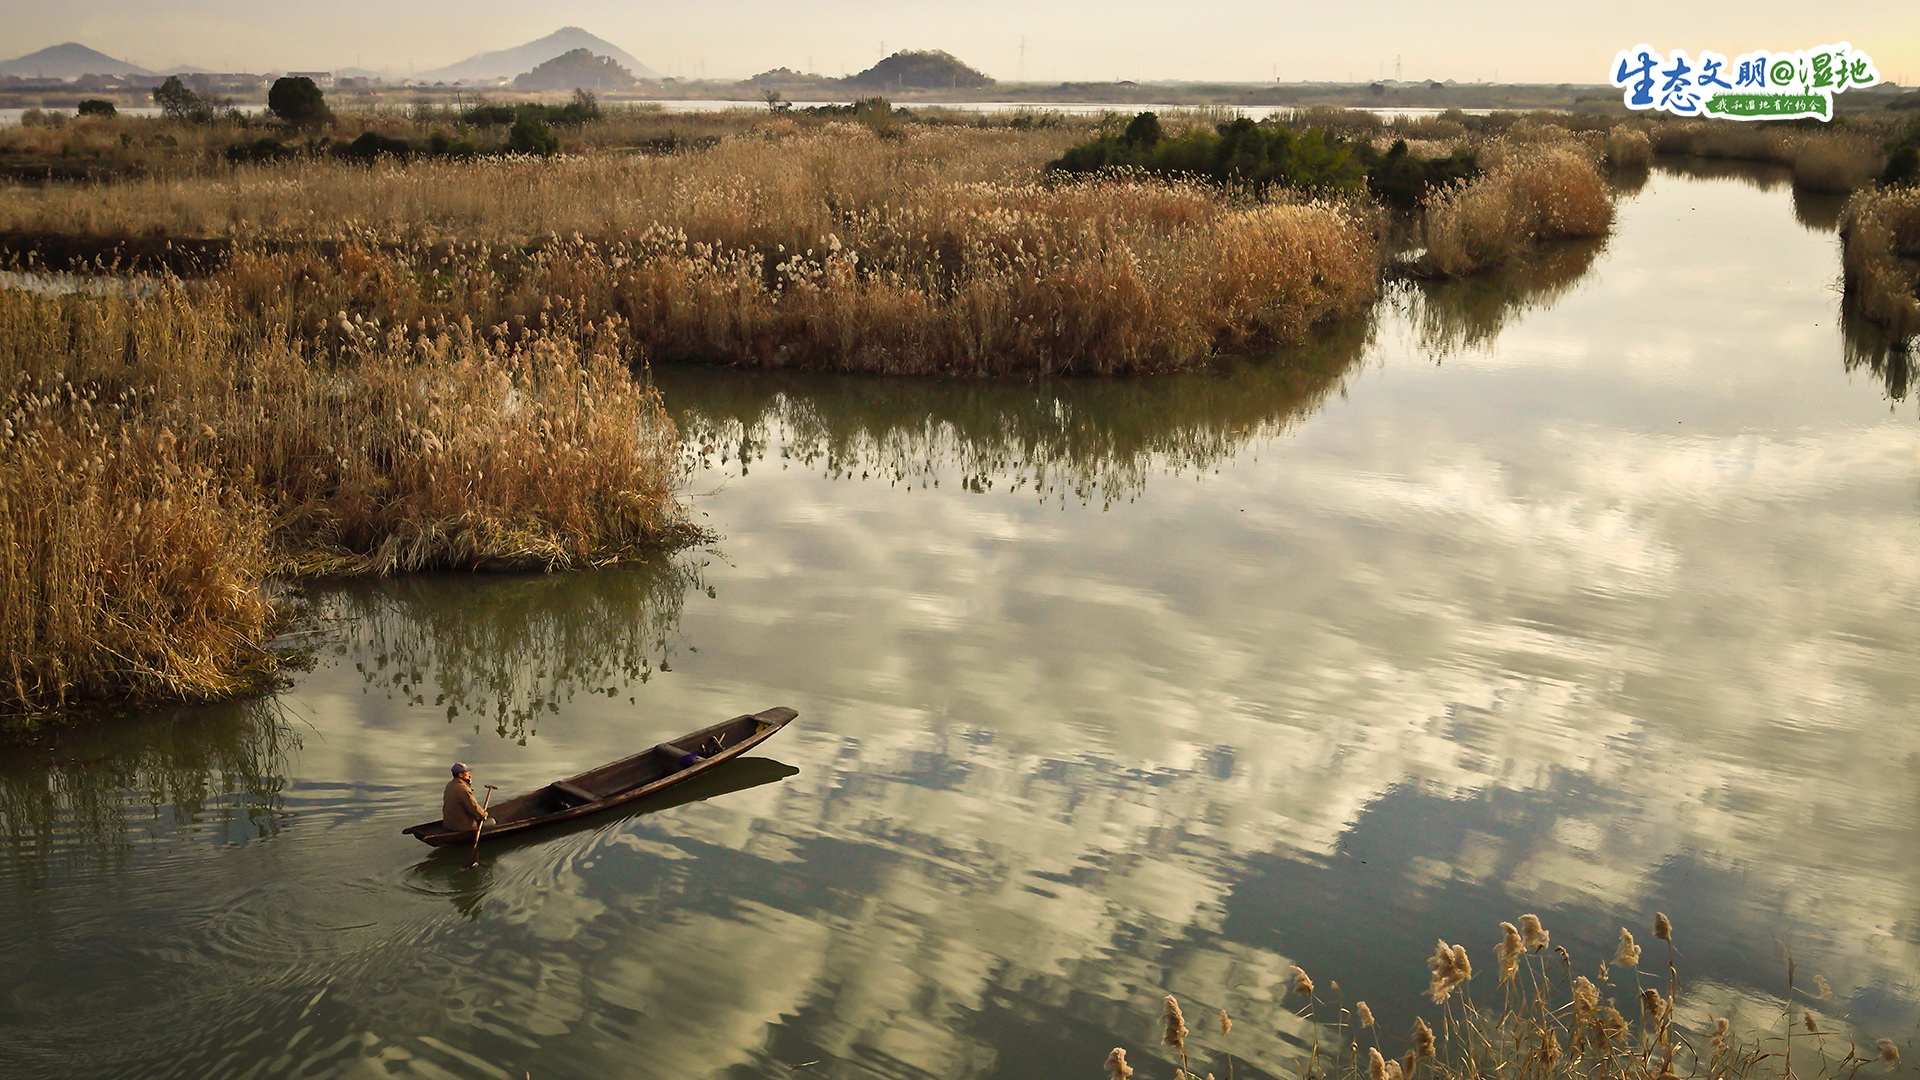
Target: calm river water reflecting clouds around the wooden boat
pixel 1585 591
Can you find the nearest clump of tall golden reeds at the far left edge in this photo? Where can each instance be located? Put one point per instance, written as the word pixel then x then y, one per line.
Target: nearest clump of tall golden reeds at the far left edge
pixel 128 564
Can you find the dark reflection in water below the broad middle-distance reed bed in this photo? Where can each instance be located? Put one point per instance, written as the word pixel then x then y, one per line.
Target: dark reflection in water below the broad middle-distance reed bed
pixel 1088 441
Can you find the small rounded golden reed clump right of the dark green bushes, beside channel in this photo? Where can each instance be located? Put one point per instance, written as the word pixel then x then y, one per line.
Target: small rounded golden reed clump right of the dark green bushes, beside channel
pixel 1531 195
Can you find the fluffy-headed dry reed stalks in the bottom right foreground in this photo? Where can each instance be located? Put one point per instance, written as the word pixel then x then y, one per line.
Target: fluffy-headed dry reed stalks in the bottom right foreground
pixel 1556 1025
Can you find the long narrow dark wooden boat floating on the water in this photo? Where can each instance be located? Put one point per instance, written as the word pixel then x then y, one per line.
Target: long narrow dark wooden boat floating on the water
pixel 615 785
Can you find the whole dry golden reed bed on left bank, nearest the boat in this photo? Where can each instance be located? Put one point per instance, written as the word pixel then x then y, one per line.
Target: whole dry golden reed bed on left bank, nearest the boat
pixel 158 462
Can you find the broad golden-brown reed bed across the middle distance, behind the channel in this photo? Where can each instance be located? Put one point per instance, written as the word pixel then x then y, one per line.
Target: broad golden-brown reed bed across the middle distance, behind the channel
pixel 830 251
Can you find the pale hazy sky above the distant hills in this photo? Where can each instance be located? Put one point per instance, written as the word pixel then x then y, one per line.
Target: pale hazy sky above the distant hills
pixel 1065 39
